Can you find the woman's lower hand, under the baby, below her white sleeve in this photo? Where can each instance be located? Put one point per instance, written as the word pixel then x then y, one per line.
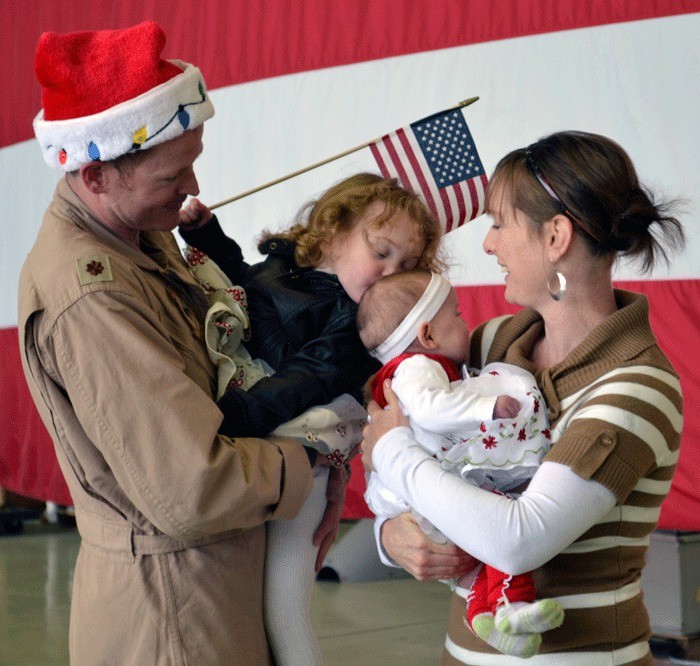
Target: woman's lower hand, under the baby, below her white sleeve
pixel 424 559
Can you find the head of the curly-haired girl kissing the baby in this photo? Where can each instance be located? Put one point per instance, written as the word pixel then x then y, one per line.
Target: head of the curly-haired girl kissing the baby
pixel 366 227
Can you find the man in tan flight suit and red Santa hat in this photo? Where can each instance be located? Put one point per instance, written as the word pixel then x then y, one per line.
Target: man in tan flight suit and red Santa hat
pixel 171 514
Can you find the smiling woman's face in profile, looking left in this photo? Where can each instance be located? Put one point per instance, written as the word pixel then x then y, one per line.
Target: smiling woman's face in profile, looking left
pixel 513 240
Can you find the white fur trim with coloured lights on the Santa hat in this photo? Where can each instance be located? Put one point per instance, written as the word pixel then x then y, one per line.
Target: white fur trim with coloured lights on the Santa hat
pixel 158 115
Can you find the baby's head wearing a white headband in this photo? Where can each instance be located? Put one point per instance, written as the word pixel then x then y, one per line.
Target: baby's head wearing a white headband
pixel 414 311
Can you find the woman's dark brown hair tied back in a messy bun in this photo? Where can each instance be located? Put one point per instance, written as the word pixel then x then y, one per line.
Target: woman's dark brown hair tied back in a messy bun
pixel 590 179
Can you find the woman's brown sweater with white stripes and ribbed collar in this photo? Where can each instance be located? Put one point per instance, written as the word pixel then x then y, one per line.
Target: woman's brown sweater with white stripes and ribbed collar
pixel 615 408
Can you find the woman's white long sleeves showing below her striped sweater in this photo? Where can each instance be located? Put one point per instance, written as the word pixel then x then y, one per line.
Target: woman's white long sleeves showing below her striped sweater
pixel 521 534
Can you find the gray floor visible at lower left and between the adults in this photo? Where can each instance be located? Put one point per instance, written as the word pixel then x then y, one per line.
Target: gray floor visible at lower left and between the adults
pixel 389 622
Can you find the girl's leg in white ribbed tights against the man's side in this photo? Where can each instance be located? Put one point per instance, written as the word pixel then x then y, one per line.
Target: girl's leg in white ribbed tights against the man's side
pixel 289 579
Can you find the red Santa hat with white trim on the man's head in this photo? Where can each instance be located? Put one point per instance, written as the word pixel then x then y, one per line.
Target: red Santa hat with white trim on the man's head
pixel 107 93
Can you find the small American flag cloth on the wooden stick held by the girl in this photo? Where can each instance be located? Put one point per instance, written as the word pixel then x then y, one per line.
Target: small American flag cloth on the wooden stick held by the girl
pixel 436 157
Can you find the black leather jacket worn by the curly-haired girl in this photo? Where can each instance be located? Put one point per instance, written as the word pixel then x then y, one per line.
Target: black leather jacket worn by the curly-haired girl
pixel 302 324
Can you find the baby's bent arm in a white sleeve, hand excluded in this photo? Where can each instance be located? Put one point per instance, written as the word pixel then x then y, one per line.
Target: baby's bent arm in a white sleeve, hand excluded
pixel 436 404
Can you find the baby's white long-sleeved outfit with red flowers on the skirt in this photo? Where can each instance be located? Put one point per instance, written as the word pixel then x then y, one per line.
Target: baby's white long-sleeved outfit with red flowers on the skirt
pixel 453 421
